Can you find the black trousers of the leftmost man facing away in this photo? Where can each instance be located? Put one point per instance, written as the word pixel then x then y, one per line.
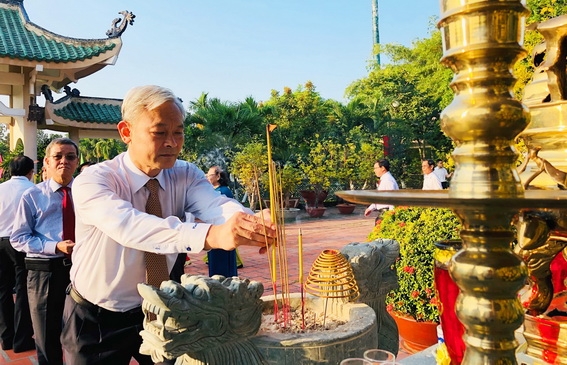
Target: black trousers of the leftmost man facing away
pixel 15 321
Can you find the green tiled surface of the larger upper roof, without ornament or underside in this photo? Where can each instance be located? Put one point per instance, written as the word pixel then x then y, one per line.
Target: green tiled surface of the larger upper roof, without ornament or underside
pixel 22 39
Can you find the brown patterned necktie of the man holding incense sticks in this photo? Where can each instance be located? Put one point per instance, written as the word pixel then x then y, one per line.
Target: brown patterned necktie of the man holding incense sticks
pixel 156 265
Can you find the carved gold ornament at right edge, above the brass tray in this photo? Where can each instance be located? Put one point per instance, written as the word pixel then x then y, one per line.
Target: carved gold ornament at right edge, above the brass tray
pixel 546 96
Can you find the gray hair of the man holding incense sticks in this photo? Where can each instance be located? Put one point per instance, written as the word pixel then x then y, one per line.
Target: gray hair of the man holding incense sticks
pixel 143 98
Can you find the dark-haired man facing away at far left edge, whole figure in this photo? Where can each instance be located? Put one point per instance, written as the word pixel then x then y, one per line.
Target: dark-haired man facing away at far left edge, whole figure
pixel 15 321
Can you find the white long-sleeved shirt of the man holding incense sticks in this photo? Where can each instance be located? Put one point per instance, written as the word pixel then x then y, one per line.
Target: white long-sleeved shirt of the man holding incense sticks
pixel 113 230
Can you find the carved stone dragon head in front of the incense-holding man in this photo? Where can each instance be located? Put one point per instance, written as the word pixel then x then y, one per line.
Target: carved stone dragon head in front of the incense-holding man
pixel 203 320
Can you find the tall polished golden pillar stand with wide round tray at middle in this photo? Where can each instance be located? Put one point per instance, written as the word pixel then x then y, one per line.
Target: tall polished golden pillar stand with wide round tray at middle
pixel 482 41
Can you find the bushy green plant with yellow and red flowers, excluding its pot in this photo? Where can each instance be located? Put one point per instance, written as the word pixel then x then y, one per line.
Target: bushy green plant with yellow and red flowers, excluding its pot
pixel 416 230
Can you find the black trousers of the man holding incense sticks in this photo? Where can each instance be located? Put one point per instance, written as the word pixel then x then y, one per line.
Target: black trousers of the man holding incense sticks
pixel 93 335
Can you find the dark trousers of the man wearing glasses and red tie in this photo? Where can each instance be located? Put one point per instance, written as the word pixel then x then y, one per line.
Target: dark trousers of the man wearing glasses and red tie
pixel 46 294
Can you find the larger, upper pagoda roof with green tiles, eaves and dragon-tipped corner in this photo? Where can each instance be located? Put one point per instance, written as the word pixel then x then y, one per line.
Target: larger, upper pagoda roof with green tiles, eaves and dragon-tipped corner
pixel 58 60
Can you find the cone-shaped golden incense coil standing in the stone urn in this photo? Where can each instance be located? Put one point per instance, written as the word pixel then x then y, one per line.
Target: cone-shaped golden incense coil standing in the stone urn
pixel 331 276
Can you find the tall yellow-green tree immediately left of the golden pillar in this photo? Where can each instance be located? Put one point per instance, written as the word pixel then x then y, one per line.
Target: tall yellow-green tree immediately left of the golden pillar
pixel 407 96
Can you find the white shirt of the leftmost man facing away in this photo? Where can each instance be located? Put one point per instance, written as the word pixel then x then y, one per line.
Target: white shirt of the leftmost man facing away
pixel 10 194
